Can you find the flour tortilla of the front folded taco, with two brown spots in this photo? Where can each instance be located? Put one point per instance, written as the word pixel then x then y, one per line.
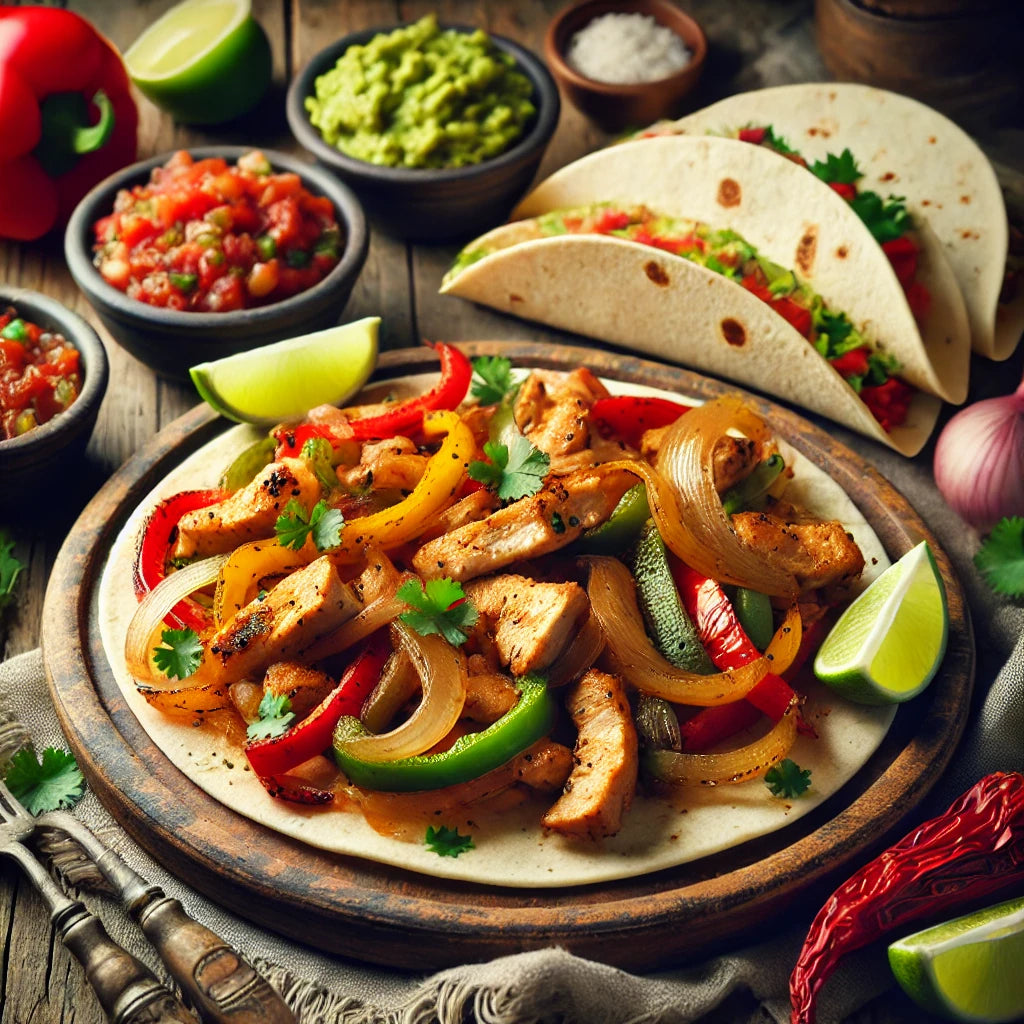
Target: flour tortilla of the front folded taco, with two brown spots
pixel 650 301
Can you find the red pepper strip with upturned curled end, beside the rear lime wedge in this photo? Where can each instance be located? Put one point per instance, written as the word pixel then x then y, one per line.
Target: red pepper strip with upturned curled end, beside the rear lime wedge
pixel 406 418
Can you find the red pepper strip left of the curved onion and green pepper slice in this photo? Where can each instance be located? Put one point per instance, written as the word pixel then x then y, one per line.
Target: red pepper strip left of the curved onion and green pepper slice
pixel 313 736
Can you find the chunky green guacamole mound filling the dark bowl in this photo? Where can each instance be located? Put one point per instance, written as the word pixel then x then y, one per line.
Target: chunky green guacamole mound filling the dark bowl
pixel 423 97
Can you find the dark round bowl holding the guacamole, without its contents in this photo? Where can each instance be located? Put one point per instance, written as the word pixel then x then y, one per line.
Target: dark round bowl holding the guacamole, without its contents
pixel 434 204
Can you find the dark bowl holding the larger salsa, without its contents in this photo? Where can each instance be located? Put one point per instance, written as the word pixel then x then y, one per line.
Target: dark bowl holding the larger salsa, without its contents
pixel 170 340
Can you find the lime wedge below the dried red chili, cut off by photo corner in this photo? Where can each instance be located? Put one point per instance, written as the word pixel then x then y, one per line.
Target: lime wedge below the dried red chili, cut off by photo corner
pixel 968 969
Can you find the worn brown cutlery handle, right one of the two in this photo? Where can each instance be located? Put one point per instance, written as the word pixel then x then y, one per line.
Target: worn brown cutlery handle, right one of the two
pixel 223 987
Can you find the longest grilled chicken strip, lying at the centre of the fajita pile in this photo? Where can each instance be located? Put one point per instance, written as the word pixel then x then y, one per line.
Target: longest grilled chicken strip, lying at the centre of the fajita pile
pixel 533 527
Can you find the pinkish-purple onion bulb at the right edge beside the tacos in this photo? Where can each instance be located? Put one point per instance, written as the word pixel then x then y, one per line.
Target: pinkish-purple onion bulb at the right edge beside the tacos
pixel 979 460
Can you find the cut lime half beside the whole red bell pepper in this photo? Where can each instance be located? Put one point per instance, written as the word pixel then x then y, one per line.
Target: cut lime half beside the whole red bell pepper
pixel 205 62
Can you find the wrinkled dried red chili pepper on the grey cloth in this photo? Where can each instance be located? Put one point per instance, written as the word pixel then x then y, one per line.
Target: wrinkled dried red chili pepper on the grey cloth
pixel 938 870
